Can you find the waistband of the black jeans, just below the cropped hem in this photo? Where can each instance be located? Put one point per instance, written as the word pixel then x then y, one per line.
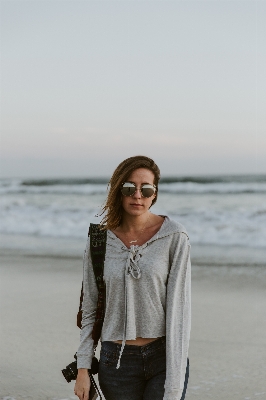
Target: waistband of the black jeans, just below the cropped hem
pixel 133 349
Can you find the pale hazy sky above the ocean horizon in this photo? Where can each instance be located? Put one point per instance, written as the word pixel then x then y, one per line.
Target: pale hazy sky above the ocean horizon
pixel 86 84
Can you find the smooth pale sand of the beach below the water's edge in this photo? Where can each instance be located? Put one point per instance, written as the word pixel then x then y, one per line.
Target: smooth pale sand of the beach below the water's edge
pixel 39 301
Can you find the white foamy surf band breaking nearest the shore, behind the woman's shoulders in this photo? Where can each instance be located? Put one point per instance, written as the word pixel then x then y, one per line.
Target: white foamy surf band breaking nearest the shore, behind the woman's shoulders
pixel 241 227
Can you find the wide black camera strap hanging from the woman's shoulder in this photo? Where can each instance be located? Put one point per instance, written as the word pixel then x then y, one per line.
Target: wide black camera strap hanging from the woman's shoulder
pixel 98 238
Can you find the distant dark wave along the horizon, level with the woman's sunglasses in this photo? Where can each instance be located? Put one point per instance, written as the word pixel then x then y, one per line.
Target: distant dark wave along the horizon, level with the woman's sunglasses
pixel 196 185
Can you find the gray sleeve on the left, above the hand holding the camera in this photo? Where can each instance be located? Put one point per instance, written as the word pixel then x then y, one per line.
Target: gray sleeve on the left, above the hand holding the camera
pixel 89 304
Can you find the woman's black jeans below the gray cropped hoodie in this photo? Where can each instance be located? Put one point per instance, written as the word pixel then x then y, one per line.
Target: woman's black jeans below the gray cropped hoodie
pixel 141 375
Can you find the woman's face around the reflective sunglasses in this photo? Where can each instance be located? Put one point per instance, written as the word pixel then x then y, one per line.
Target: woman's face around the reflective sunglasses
pixel 136 204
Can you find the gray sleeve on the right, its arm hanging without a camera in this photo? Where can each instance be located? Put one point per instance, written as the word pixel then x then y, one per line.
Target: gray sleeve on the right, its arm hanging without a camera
pixel 178 319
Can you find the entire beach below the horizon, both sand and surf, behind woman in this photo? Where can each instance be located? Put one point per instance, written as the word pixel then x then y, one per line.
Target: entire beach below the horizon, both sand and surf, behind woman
pixel 43 231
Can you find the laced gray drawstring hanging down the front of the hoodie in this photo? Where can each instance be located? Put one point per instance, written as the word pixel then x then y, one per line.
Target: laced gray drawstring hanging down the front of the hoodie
pixel 133 269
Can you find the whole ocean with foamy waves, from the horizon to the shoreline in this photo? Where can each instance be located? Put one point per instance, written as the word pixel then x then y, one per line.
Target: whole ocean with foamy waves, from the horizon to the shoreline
pixel 220 211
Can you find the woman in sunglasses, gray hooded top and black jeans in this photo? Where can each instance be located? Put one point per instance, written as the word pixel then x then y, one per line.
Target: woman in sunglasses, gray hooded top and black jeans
pixel 147 273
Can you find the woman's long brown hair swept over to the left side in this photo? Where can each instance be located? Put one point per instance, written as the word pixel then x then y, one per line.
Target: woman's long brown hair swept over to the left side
pixel 113 205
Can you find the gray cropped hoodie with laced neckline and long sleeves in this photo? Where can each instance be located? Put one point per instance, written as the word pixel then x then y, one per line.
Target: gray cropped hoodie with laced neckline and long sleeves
pixel 148 294
